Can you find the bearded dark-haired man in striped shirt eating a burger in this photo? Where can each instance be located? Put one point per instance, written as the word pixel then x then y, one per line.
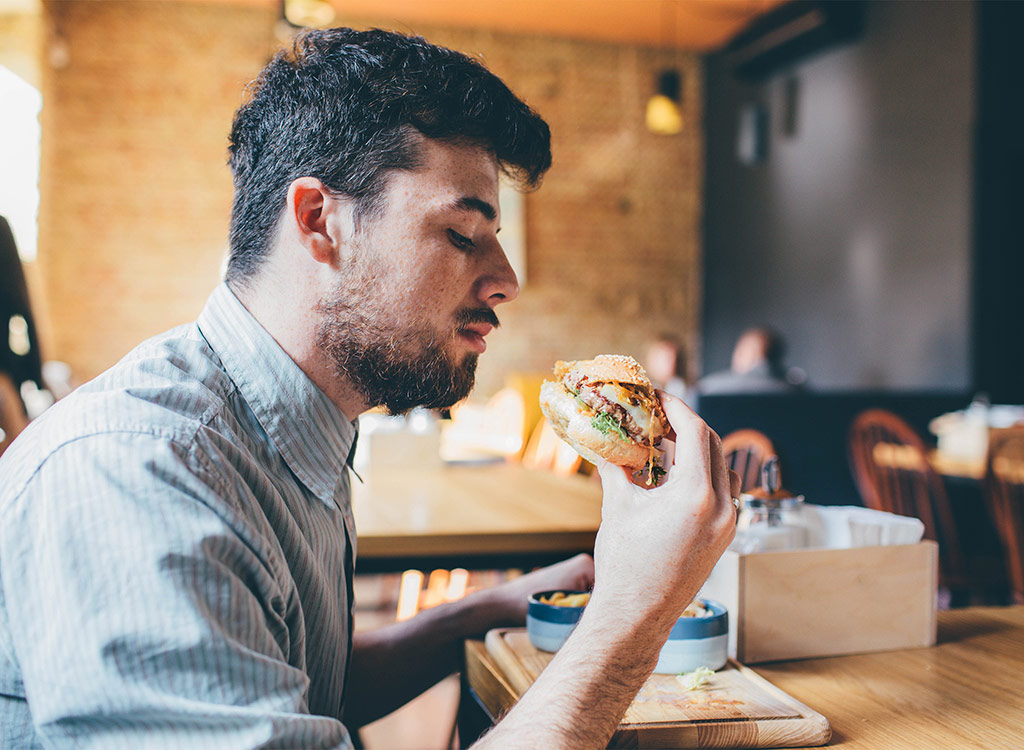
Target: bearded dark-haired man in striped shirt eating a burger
pixel 177 545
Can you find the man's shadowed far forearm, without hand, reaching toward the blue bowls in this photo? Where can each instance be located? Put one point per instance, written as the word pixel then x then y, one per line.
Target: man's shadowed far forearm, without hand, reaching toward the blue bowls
pixel 395 664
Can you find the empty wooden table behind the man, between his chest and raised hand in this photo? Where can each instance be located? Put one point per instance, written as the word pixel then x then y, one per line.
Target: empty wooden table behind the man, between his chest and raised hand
pixel 483 516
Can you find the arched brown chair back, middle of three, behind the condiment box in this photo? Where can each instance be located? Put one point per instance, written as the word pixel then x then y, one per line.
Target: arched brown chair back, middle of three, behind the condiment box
pixel 890 467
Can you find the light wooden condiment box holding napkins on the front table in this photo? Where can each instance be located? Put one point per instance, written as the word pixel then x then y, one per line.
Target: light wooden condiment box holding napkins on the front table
pixel 816 603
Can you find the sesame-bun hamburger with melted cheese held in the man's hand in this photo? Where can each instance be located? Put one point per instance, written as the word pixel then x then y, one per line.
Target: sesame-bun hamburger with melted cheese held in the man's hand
pixel 606 408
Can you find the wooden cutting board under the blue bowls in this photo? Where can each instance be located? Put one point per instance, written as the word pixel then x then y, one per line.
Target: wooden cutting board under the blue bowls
pixel 738 709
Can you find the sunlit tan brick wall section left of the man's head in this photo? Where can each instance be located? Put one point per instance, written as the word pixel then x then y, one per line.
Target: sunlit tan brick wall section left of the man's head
pixel 136 191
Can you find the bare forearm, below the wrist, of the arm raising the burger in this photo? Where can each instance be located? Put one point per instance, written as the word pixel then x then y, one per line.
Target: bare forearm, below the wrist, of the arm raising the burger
pixel 580 699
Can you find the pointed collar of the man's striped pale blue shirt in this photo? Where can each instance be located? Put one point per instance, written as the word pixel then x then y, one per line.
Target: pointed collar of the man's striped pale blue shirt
pixel 306 427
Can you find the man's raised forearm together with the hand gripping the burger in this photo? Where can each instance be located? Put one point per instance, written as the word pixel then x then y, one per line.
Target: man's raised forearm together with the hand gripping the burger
pixel 654 550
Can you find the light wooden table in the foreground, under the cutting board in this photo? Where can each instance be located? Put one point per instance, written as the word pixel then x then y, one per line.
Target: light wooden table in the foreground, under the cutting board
pixel 966 693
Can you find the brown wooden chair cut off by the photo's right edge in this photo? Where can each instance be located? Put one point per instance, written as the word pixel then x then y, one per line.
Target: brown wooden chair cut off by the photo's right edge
pixel 1005 490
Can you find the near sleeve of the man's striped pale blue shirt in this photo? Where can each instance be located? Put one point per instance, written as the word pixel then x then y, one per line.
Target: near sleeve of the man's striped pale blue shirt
pixel 143 612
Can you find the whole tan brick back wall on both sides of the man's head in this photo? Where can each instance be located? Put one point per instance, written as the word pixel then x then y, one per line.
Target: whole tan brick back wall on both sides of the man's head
pixel 137 194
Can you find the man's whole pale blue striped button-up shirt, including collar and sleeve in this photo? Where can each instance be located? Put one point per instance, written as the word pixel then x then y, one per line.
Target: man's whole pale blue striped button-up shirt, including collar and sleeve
pixel 177 551
